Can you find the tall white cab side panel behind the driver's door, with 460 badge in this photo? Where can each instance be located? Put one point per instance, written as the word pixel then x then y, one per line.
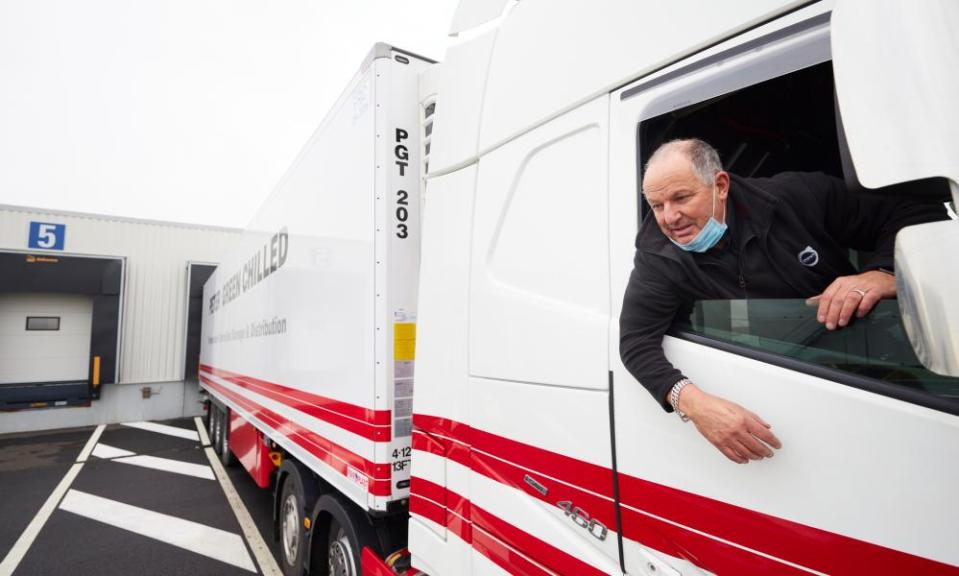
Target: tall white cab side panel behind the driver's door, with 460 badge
pixel 541 484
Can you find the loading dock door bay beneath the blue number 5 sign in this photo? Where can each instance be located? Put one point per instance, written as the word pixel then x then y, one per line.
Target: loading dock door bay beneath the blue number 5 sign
pixel 59 328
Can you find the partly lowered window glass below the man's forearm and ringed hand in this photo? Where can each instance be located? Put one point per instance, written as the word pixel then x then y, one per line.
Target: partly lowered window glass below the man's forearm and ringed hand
pixel 874 347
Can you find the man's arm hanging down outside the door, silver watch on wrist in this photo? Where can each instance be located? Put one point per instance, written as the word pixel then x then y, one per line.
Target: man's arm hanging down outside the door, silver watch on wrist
pixel 649 306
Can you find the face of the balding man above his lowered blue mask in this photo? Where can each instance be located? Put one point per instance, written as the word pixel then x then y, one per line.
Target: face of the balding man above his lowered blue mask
pixel 681 202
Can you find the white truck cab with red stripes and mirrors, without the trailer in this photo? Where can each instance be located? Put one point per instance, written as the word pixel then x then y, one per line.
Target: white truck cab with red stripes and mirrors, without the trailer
pixel 538 452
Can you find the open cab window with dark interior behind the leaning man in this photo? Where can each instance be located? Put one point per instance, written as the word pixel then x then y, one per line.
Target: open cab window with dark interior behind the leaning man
pixel 789 123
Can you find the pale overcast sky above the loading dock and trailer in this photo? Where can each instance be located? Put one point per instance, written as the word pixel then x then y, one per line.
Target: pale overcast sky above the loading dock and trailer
pixel 179 110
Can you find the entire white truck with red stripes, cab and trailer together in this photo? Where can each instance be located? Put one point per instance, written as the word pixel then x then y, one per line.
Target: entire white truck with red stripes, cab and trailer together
pixel 415 343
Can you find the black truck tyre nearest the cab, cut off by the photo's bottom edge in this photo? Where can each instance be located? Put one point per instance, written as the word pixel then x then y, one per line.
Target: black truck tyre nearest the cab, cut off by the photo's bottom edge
pixel 349 532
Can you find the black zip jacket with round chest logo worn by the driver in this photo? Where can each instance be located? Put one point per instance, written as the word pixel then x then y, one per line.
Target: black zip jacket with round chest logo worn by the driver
pixel 789 237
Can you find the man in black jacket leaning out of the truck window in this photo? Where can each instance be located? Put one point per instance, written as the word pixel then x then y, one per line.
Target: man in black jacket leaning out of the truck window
pixel 719 236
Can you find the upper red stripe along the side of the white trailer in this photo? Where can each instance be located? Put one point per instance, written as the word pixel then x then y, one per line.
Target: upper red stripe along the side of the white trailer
pixel 342 414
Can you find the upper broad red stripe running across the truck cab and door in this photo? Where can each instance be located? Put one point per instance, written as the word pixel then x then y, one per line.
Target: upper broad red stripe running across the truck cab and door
pixel 716 535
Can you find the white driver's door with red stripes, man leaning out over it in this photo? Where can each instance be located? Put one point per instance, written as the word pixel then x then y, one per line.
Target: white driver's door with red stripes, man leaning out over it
pixel 865 480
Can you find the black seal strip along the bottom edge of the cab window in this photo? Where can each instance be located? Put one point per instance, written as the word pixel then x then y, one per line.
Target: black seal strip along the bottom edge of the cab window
pixel 865 383
